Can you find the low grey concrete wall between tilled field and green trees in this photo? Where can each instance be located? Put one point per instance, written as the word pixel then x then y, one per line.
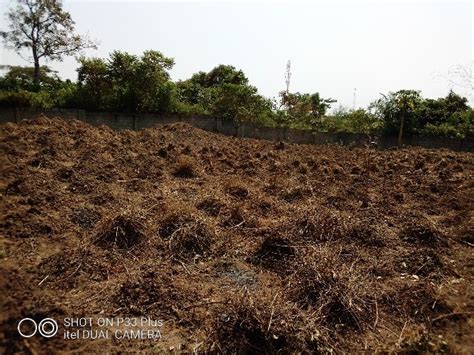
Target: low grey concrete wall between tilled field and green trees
pixel 127 121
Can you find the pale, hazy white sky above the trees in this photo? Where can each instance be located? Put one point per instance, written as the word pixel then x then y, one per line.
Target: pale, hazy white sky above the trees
pixel 336 48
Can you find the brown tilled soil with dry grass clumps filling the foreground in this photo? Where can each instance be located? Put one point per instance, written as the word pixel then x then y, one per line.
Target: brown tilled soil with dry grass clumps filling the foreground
pixel 237 245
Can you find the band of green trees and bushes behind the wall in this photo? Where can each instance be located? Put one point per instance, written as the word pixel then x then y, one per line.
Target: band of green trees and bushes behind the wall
pixel 137 84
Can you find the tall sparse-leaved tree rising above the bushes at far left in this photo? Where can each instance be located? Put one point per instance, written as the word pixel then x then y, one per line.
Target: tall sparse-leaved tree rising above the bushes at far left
pixel 45 28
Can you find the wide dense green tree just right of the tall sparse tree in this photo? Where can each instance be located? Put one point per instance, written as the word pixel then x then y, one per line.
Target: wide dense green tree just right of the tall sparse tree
pixel 127 82
